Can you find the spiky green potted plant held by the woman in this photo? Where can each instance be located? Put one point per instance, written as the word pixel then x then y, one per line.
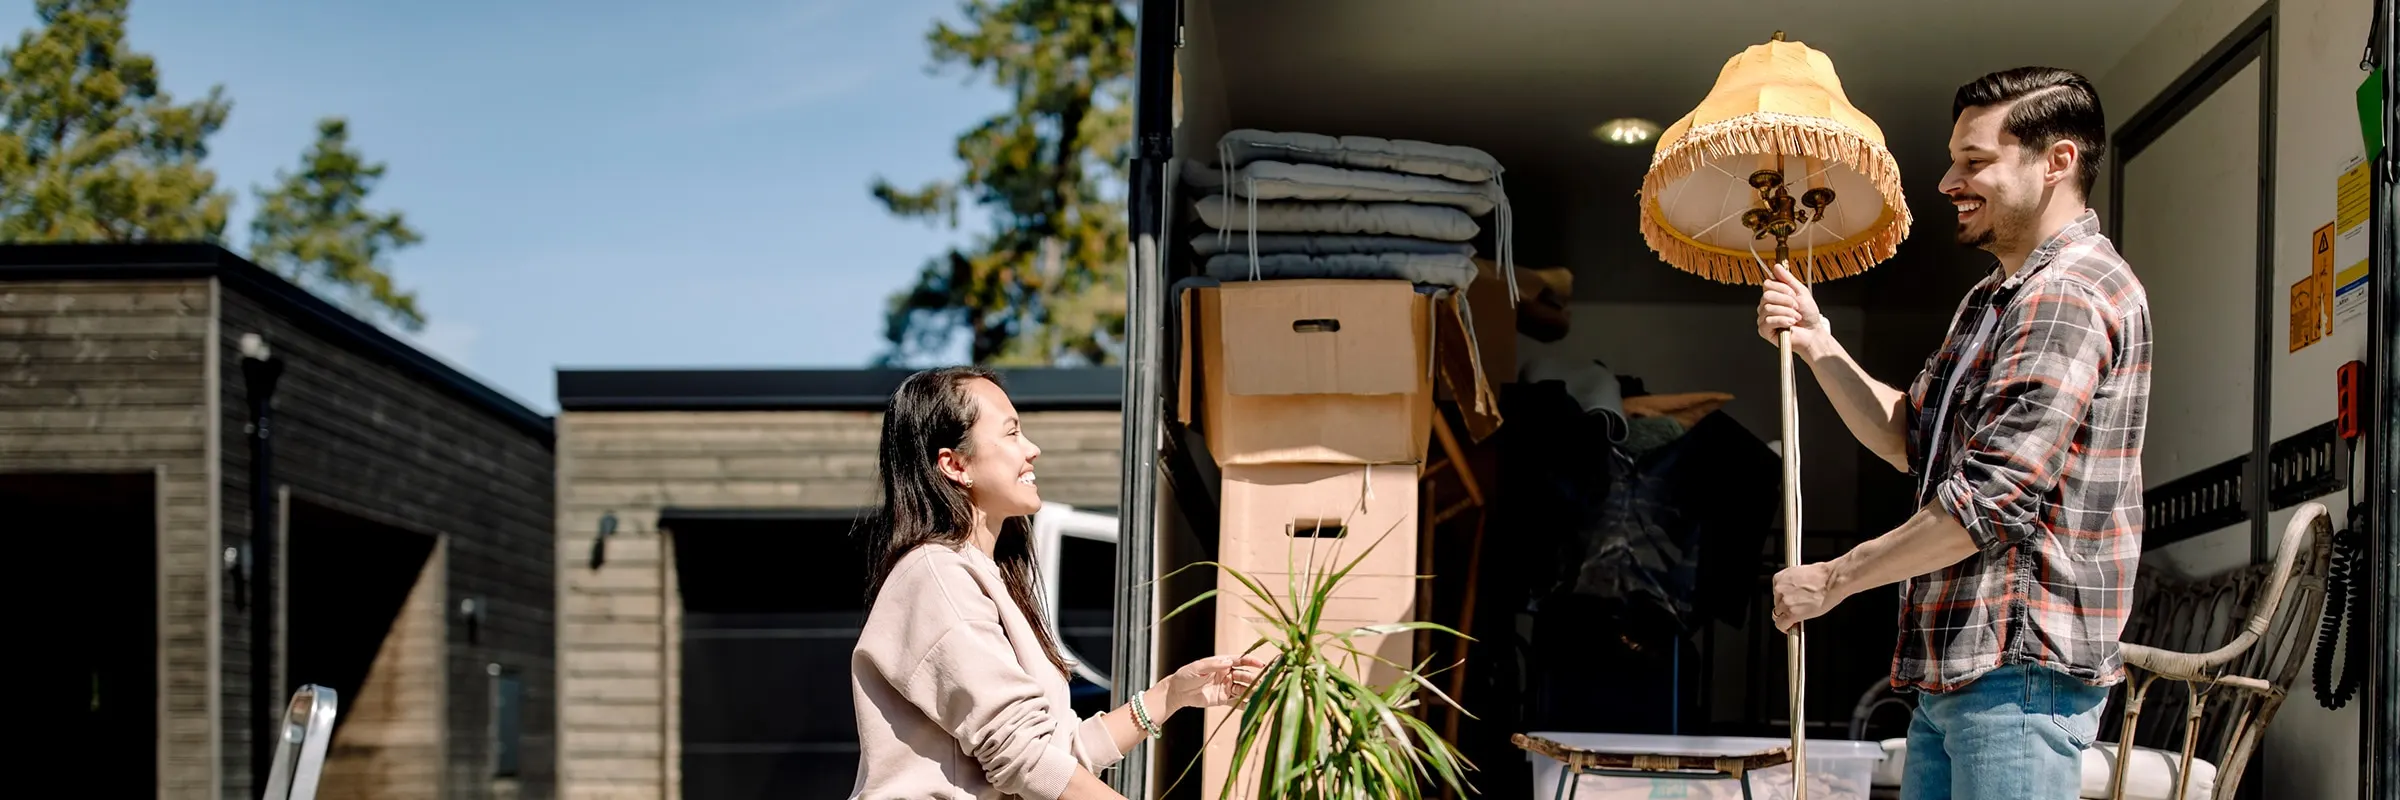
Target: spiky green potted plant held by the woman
pixel 1309 724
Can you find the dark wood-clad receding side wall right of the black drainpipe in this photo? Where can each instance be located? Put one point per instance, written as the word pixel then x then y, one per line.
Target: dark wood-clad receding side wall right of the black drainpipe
pixel 376 441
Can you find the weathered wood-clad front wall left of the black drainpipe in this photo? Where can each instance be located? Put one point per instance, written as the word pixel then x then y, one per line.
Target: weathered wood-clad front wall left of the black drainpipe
pixel 116 376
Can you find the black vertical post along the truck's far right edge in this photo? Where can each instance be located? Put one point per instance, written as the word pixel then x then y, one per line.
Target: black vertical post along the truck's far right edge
pixel 2380 772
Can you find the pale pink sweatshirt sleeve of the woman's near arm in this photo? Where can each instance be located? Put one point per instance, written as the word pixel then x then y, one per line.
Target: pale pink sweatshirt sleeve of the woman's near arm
pixel 973 688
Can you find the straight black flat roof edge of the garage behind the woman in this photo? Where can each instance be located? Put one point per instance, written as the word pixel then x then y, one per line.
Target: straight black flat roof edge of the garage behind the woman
pixel 820 390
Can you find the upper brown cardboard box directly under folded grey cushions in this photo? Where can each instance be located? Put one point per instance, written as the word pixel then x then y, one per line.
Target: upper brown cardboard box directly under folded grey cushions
pixel 1309 371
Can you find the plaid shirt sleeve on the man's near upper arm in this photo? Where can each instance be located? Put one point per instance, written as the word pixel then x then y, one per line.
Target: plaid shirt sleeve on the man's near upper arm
pixel 2048 357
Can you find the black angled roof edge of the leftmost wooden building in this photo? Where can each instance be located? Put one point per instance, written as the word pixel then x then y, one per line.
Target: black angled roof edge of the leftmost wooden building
pixel 200 261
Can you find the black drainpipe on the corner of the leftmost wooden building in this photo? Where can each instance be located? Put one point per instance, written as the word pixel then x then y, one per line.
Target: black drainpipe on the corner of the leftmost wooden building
pixel 265 590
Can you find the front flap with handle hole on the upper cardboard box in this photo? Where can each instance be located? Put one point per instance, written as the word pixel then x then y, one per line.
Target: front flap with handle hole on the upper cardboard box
pixel 1319 338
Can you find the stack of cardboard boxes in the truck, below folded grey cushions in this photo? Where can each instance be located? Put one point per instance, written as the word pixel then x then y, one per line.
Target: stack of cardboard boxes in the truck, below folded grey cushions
pixel 1316 400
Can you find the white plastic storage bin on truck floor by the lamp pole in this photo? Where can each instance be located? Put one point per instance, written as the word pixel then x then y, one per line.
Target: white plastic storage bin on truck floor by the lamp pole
pixel 1837 770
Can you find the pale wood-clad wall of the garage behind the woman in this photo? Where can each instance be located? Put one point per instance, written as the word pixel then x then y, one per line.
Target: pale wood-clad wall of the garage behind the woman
pixel 618 679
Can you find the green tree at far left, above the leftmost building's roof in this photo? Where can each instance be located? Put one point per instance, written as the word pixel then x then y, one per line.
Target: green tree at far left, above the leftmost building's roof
pixel 92 148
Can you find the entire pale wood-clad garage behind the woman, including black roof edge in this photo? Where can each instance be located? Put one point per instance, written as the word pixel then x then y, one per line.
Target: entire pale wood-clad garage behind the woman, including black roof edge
pixel 712 585
